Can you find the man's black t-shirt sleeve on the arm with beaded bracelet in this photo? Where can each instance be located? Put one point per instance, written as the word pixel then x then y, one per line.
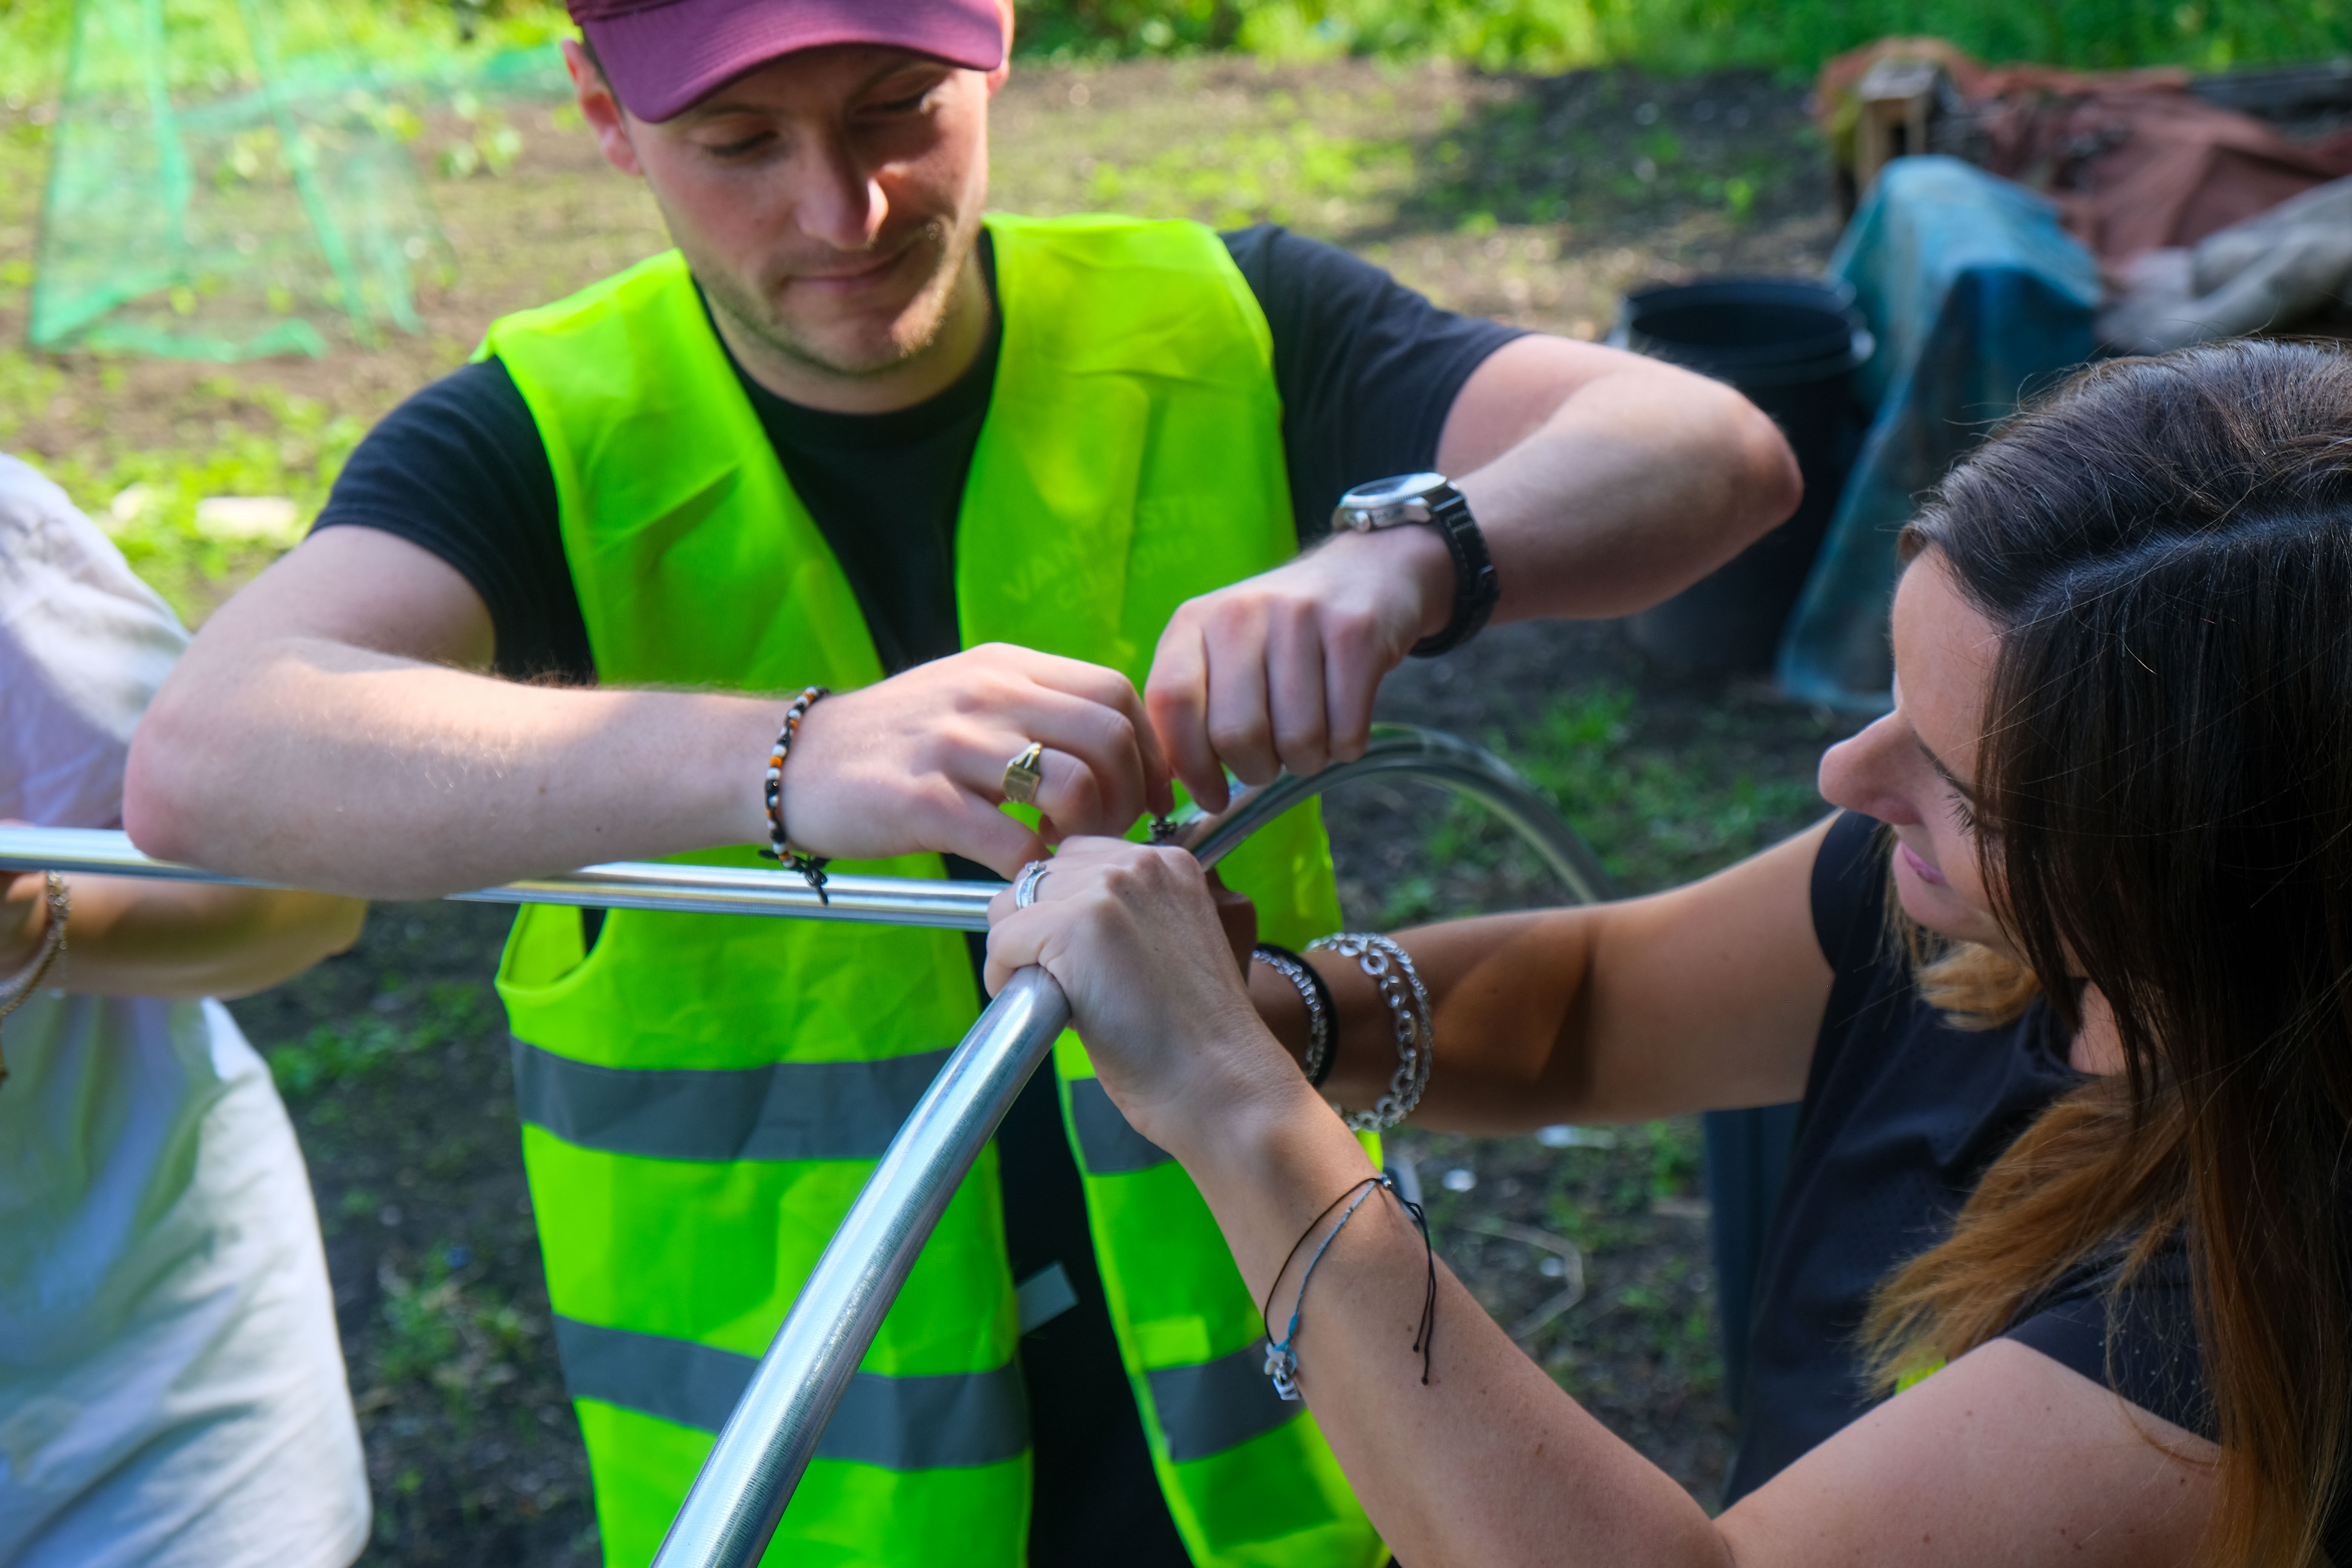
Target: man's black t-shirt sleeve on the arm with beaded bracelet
pixel 460 471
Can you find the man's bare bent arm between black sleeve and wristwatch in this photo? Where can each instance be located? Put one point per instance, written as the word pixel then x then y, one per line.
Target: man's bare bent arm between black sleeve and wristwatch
pixel 1638 483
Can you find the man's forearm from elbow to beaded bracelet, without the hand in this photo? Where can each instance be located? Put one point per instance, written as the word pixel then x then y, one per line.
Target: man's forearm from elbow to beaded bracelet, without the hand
pixel 352 772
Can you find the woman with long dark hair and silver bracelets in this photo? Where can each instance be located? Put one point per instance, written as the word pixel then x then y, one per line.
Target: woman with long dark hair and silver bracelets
pixel 2066 991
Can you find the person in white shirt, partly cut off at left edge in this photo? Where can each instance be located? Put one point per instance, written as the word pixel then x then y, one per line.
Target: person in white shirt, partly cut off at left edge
pixel 173 1388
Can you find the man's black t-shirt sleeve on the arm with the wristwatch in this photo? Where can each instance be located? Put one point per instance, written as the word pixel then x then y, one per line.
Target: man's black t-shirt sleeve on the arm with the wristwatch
pixel 1368 370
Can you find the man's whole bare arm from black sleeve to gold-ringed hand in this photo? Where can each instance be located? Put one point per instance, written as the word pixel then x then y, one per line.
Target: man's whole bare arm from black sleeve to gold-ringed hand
pixel 319 735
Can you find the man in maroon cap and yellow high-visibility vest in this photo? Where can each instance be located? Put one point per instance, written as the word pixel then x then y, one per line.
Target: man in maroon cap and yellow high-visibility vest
pixel 984 481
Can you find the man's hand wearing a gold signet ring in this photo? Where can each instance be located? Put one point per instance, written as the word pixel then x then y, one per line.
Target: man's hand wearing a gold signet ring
pixel 918 760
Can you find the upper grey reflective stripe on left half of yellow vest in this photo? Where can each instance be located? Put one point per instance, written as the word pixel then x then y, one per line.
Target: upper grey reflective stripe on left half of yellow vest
pixel 784 1111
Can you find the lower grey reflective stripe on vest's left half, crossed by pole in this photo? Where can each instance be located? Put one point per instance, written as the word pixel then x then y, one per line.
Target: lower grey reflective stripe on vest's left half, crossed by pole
pixel 902 1423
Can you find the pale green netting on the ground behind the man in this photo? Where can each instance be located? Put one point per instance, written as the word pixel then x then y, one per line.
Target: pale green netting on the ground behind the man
pixel 232 182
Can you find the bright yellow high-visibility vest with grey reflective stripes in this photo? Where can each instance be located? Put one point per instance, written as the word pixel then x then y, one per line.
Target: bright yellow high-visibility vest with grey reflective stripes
pixel 704 1097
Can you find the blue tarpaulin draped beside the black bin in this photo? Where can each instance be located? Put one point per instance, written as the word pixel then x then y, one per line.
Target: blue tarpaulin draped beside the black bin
pixel 1977 300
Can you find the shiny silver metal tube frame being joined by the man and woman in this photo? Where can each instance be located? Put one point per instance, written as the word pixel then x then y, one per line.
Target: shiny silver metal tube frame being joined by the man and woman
pixel 773 1433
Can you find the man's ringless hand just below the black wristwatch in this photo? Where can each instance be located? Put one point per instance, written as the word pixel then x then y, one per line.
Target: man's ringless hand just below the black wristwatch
pixel 1281 669
